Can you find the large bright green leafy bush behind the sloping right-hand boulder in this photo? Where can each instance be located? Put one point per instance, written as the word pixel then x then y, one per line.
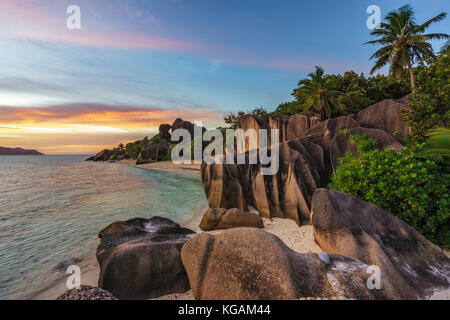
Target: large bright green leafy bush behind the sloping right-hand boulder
pixel 409 186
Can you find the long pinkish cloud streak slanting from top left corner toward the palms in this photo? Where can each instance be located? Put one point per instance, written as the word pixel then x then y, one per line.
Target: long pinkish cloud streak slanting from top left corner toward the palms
pixel 28 19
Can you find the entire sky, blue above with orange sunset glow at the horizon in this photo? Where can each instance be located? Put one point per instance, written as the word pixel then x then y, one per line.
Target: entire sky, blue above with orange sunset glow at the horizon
pixel 136 64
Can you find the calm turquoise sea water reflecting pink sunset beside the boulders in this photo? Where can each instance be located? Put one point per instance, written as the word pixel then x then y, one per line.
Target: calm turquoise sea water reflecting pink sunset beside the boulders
pixel 52 207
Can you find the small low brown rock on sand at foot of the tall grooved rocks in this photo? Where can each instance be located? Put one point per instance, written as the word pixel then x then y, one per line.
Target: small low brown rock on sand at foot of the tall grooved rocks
pixel 219 218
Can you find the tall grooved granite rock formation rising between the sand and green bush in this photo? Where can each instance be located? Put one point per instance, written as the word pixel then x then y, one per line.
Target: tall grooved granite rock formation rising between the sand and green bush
pixel 306 162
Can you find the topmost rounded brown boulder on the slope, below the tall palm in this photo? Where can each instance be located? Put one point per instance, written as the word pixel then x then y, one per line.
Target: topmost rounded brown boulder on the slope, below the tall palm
pixel 386 115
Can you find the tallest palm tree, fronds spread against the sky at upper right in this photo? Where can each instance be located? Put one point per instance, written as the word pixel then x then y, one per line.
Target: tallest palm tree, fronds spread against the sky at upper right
pixel 403 42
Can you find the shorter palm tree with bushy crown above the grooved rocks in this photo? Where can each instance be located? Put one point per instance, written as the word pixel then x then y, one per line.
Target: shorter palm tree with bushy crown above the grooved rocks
pixel 318 97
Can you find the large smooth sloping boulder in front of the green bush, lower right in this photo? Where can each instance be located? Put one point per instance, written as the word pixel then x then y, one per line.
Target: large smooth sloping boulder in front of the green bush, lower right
pixel 411 266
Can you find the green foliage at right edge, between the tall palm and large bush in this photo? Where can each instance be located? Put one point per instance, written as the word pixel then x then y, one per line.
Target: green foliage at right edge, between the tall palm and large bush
pixel 431 99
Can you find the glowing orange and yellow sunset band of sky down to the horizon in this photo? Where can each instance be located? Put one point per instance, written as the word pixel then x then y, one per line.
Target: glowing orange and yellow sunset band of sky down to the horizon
pixel 85 128
